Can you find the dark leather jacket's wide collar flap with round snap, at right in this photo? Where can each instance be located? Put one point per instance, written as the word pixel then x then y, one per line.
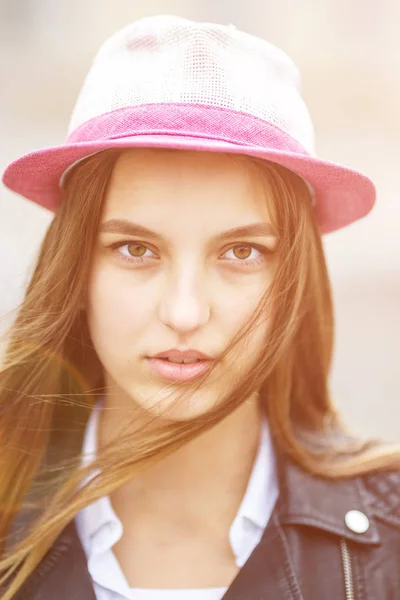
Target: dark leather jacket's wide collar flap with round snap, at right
pixel 323 503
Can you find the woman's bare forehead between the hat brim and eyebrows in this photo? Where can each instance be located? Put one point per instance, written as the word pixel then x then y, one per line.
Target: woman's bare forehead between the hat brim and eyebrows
pixel 164 184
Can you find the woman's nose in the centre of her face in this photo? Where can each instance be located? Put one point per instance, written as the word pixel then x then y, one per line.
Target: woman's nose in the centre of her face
pixel 184 306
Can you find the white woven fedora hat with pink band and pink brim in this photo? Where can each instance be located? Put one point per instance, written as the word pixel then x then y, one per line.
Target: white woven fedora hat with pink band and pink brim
pixel 168 82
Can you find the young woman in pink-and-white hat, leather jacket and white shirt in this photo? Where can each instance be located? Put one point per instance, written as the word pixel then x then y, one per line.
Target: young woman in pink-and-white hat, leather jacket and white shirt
pixel 166 425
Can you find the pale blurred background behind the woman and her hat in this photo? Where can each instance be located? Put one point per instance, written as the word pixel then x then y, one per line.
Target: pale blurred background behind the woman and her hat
pixel 348 53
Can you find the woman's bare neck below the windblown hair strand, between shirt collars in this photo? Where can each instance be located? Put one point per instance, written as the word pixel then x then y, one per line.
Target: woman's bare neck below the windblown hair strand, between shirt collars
pixel 200 484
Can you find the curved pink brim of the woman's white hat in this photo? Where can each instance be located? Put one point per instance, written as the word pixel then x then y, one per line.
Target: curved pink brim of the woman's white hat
pixel 342 195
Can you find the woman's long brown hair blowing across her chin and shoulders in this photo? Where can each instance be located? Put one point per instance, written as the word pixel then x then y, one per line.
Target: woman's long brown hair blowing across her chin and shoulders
pixel 51 375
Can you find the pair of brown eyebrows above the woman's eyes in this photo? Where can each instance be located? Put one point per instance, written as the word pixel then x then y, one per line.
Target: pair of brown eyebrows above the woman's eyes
pixel 125 227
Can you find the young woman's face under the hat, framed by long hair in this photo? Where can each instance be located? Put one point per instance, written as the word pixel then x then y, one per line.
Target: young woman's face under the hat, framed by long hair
pixel 171 269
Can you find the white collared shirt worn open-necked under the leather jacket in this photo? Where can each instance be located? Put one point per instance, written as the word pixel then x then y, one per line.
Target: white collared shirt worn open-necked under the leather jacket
pixel 99 528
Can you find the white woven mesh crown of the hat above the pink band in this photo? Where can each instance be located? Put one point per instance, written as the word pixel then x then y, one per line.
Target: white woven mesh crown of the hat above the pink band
pixel 167 59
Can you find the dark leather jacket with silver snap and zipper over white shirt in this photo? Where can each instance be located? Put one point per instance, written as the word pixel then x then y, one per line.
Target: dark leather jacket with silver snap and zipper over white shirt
pixel 310 549
